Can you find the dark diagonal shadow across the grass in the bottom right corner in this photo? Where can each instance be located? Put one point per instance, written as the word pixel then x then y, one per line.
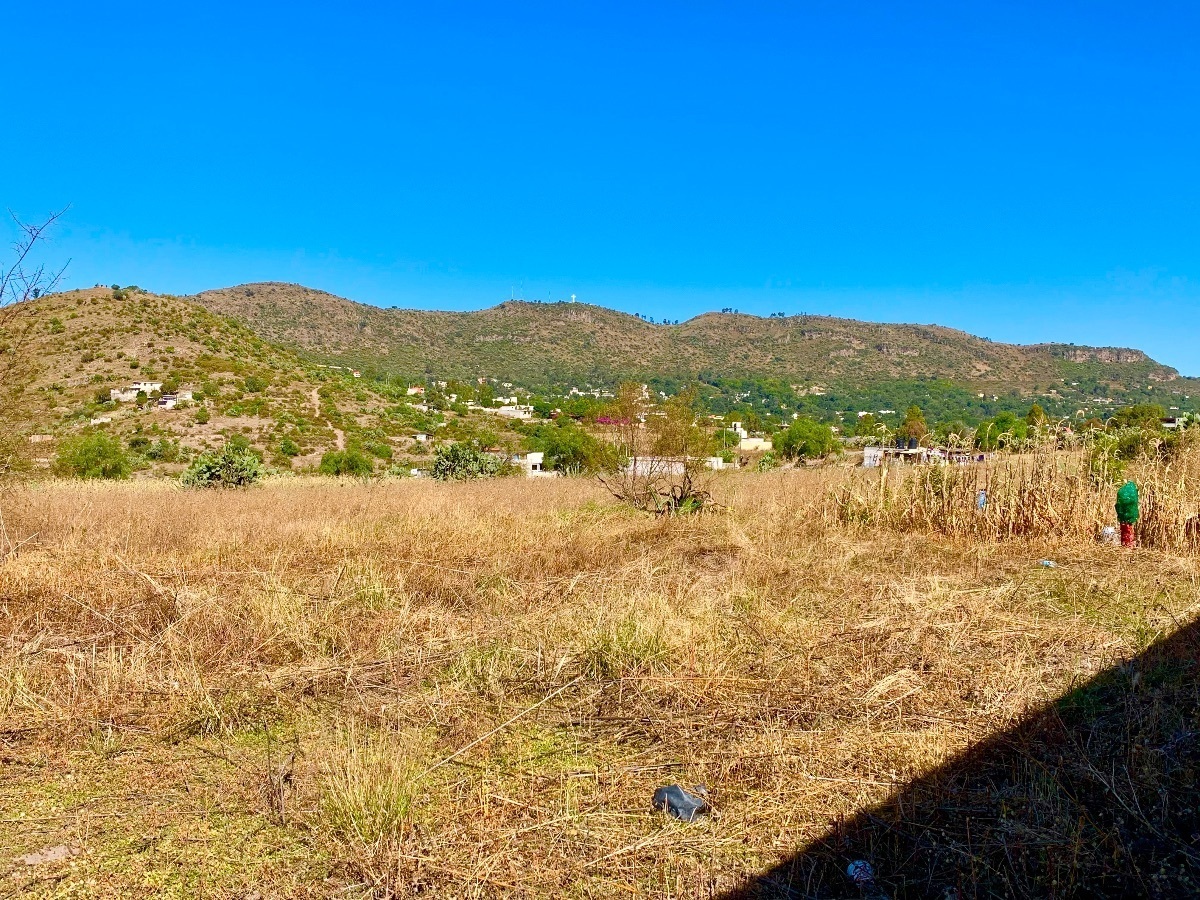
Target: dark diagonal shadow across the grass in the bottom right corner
pixel 1097 795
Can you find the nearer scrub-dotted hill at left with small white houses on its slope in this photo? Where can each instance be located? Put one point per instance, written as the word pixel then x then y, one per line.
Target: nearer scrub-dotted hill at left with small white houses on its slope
pixel 69 352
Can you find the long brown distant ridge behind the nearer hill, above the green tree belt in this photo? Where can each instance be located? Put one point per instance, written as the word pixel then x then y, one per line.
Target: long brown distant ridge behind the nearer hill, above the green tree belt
pixel 563 345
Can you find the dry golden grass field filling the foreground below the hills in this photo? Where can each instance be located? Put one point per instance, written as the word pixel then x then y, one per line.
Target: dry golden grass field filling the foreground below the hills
pixel 321 689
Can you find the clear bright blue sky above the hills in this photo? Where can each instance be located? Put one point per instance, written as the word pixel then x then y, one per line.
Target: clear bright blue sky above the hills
pixel 1023 171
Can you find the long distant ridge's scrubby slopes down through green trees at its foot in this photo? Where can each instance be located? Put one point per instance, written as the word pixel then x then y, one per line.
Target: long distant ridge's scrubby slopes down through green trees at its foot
pixel 743 365
